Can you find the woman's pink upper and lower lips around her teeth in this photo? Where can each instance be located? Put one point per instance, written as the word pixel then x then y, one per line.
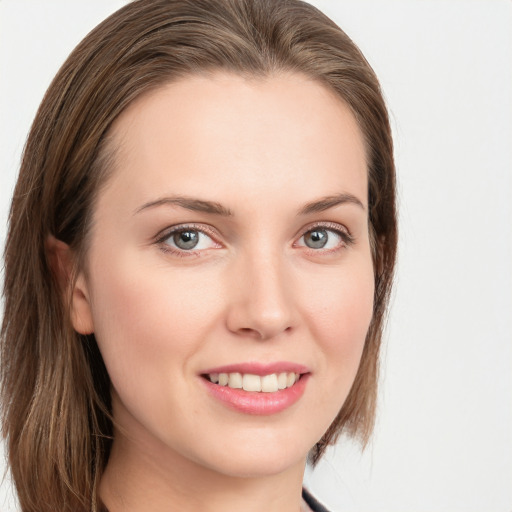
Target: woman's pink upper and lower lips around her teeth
pixel 258 403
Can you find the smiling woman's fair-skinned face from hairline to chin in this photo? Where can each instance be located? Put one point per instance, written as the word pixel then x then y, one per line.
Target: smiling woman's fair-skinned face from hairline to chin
pixel 231 243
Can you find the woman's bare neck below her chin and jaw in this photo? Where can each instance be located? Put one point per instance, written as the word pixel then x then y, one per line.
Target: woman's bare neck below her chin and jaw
pixel 136 480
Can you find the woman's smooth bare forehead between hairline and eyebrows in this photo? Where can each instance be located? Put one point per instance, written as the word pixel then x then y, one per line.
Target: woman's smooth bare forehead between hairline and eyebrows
pixel 203 133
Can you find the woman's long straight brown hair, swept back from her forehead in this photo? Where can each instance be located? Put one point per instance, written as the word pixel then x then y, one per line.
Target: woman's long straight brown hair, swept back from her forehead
pixel 54 385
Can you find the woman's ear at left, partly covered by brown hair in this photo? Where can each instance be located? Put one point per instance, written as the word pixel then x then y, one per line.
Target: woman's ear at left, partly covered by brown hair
pixel 61 260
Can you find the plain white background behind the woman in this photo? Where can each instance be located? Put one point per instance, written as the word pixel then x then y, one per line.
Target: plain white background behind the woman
pixel 443 441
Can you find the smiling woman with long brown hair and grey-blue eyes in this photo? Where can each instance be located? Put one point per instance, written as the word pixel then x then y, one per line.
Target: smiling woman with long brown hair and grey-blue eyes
pixel 178 332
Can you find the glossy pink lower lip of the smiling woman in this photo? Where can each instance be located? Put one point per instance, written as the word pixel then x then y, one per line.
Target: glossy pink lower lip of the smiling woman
pixel 258 403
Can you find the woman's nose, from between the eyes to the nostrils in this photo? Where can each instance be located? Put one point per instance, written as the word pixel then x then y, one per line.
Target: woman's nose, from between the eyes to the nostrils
pixel 261 298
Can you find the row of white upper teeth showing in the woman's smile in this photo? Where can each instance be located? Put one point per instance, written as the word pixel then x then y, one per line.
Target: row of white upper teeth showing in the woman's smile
pixel 249 382
